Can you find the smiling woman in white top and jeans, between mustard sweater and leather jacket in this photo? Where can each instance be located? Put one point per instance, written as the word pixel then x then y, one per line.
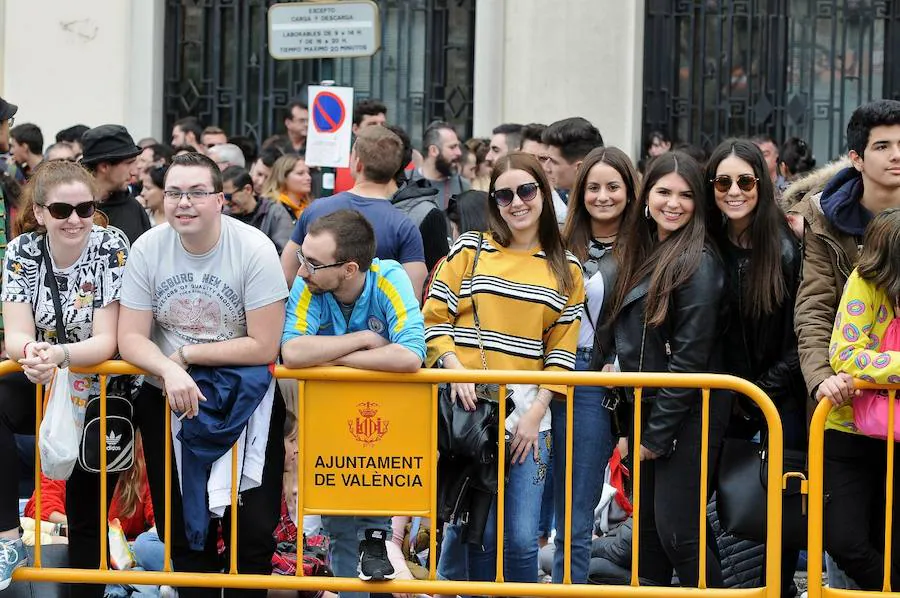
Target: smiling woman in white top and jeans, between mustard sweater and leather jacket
pixel 606 182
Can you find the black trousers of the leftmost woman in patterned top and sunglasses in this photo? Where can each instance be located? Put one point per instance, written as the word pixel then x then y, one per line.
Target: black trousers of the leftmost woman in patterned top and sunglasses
pixel 17 416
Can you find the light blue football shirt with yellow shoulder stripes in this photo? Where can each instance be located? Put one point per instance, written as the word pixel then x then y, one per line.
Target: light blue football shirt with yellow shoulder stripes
pixel 387 306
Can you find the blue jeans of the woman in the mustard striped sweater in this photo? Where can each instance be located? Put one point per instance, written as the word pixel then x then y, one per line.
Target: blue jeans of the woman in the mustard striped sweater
pixel 524 489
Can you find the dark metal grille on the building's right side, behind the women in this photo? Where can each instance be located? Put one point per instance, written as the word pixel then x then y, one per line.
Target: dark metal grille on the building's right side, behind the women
pixel 720 68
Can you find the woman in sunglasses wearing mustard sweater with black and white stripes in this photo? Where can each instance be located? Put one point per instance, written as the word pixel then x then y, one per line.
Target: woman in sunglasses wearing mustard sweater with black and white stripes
pixel 526 293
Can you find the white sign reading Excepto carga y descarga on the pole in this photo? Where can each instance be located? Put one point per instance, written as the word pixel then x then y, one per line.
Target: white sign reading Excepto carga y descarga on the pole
pixel 324 29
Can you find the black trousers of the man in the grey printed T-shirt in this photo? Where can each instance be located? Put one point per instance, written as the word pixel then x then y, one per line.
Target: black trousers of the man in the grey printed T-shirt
pixel 259 509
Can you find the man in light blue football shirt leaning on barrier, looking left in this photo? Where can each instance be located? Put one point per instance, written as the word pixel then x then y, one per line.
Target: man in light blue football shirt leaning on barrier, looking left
pixel 349 308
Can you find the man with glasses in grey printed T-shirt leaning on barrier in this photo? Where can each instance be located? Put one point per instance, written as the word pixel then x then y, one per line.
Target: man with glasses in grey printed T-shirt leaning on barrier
pixel 207 292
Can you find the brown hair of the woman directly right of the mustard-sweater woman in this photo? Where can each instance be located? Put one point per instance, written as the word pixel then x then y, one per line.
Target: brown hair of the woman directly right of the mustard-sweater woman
pixel 577 230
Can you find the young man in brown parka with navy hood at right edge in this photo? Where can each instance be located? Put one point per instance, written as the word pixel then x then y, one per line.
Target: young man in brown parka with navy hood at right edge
pixel 834 221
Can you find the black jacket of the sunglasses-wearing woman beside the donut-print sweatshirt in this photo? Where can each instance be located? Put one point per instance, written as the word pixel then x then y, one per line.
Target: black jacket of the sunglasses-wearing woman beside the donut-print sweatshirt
pixel 764 350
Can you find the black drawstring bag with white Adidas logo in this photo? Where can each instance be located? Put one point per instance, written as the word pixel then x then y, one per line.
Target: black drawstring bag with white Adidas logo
pixel 119 429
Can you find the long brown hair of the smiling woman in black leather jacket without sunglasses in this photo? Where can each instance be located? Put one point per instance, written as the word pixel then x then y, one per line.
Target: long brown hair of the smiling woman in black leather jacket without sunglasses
pixel 668 263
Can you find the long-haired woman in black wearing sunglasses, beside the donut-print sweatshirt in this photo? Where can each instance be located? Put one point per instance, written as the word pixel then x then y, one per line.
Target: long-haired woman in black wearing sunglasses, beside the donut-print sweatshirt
pixel 762 267
